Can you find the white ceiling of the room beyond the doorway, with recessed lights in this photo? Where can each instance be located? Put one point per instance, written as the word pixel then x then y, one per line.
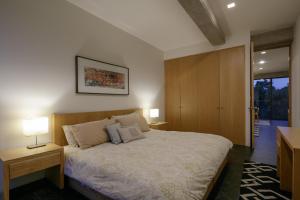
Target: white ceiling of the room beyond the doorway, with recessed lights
pixel 277 60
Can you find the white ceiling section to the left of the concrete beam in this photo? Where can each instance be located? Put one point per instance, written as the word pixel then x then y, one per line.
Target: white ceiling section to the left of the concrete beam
pixel 162 23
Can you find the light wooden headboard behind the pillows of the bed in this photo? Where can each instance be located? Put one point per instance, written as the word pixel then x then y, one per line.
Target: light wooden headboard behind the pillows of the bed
pixel 60 119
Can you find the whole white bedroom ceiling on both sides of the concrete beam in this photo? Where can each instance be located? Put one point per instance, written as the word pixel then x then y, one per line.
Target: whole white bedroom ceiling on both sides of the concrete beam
pixel 165 24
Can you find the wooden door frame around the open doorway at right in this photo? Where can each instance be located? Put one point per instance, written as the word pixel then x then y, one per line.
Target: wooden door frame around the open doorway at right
pixel 251 108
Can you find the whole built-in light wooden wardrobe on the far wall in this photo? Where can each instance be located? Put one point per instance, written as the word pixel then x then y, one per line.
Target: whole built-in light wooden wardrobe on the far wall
pixel 206 93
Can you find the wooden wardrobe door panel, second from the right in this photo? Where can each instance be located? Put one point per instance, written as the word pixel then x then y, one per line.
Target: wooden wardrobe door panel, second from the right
pixel 209 93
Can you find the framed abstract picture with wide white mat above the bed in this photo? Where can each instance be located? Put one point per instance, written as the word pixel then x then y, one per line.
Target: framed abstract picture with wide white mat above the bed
pixel 97 77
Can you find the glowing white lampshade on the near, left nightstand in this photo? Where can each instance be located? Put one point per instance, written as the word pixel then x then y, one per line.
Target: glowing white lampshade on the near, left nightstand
pixel 36 126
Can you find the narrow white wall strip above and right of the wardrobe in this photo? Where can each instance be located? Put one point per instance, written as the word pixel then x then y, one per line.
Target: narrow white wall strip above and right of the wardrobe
pixel 242 38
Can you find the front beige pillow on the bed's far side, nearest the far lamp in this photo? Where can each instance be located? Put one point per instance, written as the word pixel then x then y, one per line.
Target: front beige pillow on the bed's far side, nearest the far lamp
pixel 131 119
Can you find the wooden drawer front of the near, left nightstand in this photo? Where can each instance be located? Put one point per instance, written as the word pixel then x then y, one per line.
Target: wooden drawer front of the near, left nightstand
pixel 34 164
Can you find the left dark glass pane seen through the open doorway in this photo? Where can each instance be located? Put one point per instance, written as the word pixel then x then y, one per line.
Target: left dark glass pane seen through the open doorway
pixel 262 98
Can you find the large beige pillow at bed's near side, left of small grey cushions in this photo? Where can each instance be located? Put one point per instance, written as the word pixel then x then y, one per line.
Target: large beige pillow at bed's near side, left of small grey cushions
pixel 91 133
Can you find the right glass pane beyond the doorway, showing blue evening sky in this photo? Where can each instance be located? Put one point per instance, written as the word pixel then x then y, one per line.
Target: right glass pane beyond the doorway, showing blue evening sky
pixel 280 99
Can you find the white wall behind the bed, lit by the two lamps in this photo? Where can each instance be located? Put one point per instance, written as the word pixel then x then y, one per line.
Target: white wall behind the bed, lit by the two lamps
pixel 38 43
